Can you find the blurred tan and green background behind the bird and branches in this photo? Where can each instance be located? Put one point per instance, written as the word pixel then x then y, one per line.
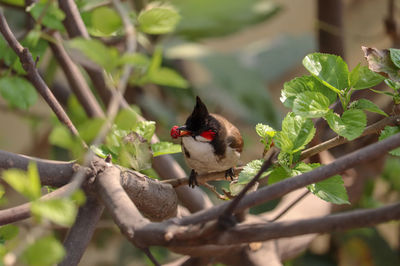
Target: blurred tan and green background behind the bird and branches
pixel 236 56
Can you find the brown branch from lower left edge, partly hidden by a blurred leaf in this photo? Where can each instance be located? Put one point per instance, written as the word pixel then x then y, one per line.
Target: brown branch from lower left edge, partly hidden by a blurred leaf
pixel 23 211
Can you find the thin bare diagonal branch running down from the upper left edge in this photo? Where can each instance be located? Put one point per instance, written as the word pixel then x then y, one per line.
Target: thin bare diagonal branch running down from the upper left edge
pixel 29 66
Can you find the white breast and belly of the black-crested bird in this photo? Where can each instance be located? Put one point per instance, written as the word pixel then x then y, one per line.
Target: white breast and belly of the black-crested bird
pixel 202 158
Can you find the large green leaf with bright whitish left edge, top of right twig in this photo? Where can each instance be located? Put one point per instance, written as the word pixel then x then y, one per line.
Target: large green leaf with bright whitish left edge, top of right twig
pixel 331 70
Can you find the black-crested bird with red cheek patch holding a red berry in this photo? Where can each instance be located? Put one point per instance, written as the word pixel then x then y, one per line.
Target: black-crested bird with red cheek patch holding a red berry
pixel 210 143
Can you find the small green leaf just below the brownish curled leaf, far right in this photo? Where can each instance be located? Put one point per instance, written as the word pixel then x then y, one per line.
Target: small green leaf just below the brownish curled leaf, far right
pixel 363 78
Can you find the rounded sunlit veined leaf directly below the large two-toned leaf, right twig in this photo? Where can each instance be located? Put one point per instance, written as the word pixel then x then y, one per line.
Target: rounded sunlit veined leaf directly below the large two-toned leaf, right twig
pixel 311 104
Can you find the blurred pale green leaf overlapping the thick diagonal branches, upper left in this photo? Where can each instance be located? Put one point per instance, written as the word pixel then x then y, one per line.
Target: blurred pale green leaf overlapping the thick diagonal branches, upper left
pixel 106 57
